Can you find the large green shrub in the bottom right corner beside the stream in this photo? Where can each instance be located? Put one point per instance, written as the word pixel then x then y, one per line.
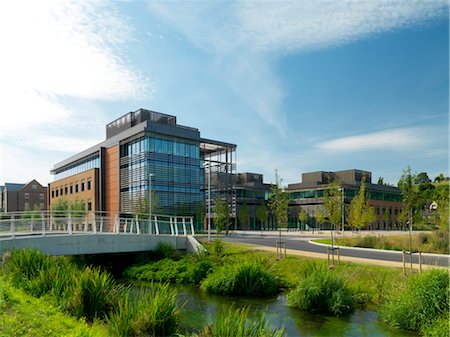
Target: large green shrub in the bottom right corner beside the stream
pixel 424 299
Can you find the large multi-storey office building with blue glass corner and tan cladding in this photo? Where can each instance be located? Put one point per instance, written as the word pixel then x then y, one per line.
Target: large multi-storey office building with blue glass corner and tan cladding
pixel 147 152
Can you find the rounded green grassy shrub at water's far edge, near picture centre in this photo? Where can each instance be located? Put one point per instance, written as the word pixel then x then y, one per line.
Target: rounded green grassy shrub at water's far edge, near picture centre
pixel 246 278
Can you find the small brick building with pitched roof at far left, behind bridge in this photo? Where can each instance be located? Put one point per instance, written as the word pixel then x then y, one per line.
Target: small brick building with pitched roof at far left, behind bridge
pixel 22 197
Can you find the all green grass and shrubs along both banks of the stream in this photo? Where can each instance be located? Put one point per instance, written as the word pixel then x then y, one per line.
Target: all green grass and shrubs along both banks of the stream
pixel 94 304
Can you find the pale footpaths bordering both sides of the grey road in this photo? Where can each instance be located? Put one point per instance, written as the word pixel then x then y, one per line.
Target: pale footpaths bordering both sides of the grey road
pixel 299 244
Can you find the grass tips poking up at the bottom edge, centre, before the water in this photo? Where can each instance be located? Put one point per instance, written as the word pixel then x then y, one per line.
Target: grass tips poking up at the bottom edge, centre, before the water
pixel 236 322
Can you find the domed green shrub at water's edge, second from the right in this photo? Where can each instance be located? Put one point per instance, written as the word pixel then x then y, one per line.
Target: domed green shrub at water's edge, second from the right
pixel 322 291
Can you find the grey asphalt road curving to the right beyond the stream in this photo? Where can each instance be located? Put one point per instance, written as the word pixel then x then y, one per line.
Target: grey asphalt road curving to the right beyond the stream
pixel 302 244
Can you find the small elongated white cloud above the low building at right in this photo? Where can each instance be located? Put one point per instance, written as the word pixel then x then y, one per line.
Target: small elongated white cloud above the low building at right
pixel 387 140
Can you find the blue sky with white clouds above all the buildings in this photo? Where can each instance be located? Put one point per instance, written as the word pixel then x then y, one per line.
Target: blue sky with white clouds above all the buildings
pixel 298 86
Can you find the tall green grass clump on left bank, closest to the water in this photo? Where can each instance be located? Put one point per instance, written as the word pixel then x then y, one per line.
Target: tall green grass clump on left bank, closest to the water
pixel 149 312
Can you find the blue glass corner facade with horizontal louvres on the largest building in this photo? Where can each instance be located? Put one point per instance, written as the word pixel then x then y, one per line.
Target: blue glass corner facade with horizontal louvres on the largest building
pixel 177 174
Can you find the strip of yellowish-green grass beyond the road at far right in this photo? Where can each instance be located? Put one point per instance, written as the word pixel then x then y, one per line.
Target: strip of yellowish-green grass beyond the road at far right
pixel 436 242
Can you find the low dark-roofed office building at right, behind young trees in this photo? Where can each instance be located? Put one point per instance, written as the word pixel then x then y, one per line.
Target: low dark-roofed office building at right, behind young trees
pixel 308 195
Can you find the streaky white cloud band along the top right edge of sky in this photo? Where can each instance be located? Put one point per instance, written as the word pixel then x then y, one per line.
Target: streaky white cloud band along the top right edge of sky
pixel 305 25
